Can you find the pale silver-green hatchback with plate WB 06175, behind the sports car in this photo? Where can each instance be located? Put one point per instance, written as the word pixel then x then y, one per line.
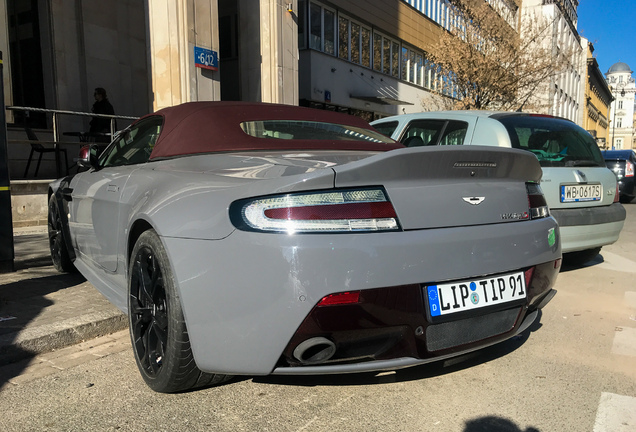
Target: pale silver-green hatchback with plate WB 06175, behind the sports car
pixel 581 192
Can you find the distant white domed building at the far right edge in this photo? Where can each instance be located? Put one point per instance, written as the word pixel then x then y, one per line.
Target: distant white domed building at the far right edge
pixel 621 82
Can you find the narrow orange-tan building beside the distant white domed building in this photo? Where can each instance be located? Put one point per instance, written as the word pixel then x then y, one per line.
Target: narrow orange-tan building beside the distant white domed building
pixel 597 99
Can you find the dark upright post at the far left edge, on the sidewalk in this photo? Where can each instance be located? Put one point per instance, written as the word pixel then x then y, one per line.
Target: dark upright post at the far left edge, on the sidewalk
pixel 7 253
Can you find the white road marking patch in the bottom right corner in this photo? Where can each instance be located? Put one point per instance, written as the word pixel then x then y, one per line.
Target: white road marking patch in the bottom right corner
pixel 616 413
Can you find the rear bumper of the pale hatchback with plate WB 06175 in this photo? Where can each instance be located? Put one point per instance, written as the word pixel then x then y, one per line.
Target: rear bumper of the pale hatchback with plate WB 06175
pixel 589 227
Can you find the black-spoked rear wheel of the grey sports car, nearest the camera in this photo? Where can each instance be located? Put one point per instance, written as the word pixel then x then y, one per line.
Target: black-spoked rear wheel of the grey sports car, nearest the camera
pixel 157 327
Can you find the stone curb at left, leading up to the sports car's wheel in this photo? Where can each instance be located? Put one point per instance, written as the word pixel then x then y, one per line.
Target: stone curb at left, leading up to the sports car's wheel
pixel 31 342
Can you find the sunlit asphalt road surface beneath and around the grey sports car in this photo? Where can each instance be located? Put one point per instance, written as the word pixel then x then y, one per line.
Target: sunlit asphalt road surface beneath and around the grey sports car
pixel 574 371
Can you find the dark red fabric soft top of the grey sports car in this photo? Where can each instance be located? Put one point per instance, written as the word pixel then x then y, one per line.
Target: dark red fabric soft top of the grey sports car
pixel 206 127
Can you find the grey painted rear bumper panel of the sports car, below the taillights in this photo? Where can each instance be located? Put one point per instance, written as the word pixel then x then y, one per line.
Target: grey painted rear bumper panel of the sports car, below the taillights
pixel 245 296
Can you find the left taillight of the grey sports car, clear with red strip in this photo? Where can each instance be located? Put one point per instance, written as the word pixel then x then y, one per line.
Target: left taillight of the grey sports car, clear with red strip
pixel 327 211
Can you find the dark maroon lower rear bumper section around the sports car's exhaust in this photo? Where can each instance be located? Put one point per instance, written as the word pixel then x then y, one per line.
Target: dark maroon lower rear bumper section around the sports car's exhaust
pixel 392 323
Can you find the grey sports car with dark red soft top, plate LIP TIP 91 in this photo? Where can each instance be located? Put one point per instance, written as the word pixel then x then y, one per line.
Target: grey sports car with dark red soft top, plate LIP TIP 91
pixel 256 239
